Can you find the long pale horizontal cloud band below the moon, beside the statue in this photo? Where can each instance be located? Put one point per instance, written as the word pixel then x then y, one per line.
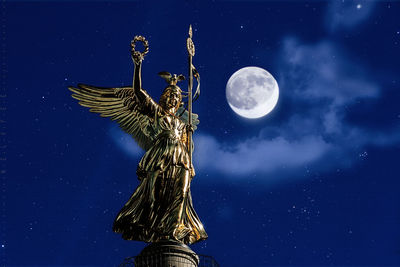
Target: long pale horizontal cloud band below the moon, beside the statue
pixel 256 155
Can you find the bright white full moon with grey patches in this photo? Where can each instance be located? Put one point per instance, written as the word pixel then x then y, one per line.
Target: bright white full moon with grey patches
pixel 252 92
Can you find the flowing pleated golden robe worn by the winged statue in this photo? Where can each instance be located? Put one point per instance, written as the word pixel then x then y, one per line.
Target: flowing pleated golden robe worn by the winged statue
pixel 161 207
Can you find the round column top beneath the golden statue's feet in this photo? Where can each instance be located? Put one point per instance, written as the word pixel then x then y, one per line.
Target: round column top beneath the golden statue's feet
pixel 167 253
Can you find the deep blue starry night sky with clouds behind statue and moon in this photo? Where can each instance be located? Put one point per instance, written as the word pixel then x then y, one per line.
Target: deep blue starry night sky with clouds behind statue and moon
pixel 313 183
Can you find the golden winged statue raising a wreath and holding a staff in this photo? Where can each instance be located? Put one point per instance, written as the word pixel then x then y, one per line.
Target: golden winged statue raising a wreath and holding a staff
pixel 161 207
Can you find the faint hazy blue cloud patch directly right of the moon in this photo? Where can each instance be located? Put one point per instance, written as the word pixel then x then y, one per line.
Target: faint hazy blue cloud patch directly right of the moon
pixel 325 72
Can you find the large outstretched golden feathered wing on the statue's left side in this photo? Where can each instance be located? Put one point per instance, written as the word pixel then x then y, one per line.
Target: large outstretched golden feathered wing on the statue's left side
pixel 121 105
